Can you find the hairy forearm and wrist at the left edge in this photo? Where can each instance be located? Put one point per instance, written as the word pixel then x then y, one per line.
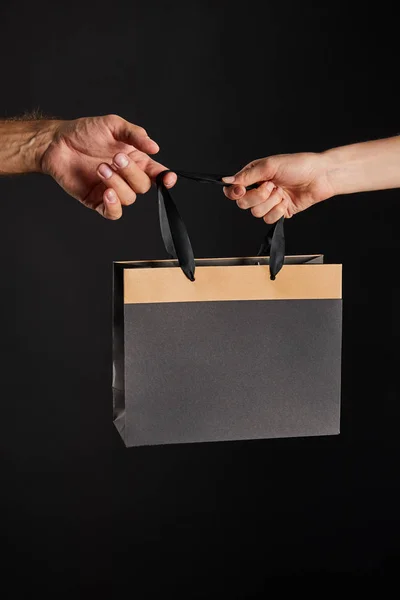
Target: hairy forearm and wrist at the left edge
pixel 22 144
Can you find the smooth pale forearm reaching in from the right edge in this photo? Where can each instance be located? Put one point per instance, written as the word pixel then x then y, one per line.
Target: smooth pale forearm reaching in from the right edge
pixel 364 167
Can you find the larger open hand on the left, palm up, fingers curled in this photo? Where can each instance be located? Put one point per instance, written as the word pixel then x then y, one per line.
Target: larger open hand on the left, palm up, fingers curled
pixel 101 161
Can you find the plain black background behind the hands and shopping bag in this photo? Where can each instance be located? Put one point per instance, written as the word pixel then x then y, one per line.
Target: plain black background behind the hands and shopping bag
pixel 216 84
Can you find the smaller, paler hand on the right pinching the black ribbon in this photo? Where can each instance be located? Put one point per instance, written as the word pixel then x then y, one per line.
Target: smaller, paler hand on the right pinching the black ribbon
pixel 289 183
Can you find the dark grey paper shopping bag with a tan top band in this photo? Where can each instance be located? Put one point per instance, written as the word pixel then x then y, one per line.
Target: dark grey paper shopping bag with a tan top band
pixel 228 350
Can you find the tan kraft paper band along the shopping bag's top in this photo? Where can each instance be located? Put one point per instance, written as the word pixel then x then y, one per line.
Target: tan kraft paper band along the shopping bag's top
pixel 222 283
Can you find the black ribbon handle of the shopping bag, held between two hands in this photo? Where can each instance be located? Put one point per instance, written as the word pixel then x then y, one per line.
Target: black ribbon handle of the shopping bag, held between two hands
pixel 176 239
